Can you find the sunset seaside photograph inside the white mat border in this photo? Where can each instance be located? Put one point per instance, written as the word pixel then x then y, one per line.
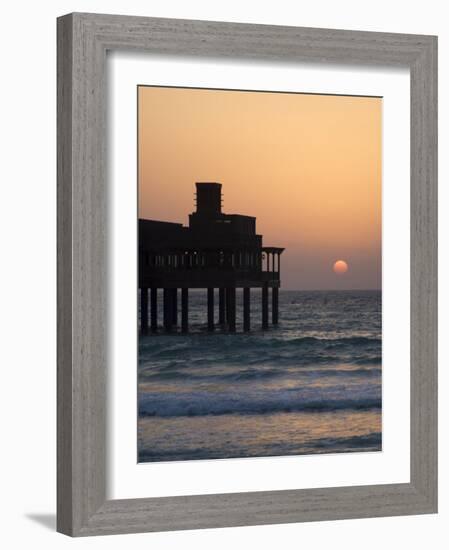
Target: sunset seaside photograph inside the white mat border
pixel 259 274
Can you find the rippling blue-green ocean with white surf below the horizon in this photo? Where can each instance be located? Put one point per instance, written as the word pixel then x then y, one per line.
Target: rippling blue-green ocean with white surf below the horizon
pixel 310 385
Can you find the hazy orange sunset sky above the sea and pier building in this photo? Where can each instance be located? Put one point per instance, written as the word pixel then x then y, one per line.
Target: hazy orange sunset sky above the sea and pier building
pixel 307 166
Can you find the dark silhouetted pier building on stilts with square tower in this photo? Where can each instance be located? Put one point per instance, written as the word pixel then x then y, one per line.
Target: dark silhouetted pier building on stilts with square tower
pixel 216 250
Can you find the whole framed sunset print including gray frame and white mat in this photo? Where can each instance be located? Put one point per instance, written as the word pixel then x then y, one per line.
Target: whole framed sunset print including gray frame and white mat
pixel 246 274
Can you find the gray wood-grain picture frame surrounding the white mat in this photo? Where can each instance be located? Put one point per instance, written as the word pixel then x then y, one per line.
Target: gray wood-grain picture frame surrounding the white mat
pixel 83 40
